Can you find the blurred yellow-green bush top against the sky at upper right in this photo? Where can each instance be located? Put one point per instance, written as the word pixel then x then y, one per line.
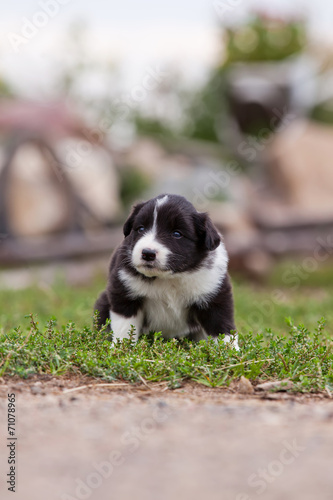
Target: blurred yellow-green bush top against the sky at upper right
pixel 265 39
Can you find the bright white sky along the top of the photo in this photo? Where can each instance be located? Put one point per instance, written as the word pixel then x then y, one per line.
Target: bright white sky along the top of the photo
pixel 137 33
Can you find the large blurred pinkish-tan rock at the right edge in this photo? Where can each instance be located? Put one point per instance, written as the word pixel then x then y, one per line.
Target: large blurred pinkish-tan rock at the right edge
pixel 301 175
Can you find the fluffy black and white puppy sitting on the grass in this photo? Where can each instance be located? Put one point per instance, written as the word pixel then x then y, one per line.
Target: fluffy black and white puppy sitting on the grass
pixel 169 275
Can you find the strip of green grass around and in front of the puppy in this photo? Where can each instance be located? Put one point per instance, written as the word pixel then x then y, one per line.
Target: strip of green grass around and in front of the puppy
pixel 58 337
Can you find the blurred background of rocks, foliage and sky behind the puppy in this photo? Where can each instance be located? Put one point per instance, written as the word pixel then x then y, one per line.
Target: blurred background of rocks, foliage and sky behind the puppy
pixel 229 103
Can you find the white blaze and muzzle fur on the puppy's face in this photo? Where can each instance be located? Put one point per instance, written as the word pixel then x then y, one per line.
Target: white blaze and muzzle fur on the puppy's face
pixel 149 241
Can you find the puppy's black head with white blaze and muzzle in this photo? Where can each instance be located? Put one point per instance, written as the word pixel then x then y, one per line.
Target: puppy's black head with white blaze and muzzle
pixel 166 236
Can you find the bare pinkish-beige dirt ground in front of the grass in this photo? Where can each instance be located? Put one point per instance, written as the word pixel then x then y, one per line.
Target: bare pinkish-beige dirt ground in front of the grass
pixel 148 442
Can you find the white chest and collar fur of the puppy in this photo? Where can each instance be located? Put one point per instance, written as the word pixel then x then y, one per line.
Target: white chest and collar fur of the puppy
pixel 167 299
